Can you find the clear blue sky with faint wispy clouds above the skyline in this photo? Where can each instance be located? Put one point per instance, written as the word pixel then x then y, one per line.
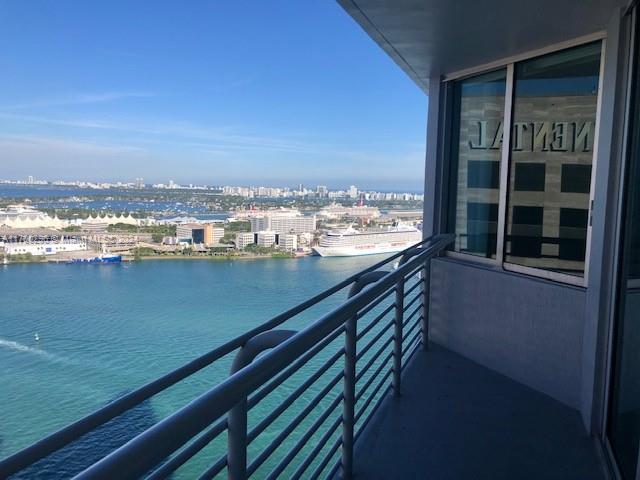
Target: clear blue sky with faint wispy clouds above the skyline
pixel 217 92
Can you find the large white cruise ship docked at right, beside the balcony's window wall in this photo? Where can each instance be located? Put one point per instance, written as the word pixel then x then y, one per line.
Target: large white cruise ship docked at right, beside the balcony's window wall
pixel 351 242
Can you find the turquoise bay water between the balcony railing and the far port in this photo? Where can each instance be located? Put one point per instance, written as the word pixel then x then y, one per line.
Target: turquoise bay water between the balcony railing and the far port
pixel 105 330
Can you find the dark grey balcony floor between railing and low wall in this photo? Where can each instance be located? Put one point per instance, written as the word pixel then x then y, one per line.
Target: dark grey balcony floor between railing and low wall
pixel 459 420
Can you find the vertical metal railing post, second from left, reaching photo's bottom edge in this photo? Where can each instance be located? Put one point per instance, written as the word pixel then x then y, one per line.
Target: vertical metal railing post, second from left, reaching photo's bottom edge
pixel 349 400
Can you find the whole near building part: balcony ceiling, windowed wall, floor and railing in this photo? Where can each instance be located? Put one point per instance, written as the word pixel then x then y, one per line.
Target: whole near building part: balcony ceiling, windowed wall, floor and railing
pixel 508 346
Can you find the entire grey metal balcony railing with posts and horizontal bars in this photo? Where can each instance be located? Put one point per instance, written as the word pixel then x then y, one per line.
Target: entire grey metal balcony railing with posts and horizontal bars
pixel 280 408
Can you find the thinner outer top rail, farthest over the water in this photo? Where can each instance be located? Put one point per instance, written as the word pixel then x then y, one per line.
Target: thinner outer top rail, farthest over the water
pixel 53 442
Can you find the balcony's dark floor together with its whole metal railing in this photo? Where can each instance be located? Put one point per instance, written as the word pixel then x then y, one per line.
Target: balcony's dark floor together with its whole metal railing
pixel 354 393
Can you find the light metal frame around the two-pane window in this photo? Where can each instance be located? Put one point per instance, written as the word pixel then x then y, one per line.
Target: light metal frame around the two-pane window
pixel 509 63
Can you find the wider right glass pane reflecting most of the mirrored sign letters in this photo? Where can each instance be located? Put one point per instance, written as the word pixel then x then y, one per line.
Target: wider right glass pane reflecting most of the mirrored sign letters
pixel 554 116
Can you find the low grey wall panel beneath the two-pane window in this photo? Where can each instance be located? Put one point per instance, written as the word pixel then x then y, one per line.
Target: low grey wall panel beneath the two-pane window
pixel 528 329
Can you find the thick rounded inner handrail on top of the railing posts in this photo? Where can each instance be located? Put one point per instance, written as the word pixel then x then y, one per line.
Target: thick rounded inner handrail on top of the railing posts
pixel 135 457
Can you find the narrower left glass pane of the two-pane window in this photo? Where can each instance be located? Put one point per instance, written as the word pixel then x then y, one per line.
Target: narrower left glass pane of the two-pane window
pixel 478 111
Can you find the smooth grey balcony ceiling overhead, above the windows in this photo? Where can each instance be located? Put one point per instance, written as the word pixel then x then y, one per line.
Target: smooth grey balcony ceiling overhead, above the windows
pixel 427 38
